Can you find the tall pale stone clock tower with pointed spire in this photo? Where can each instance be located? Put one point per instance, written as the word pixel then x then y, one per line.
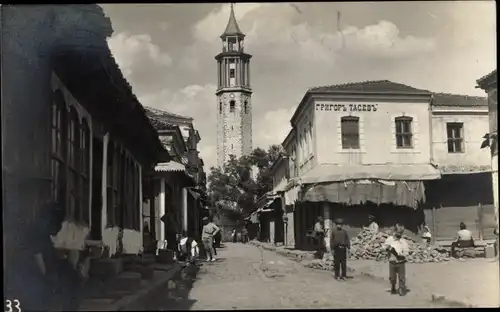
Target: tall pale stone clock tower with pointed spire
pixel 234 108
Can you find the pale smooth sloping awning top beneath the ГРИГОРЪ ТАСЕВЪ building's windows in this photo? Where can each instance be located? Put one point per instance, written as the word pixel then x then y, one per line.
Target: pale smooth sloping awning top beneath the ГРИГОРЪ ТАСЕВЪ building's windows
pixel 392 172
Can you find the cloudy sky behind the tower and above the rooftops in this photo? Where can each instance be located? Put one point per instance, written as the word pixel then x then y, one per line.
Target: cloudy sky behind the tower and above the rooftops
pixel 166 52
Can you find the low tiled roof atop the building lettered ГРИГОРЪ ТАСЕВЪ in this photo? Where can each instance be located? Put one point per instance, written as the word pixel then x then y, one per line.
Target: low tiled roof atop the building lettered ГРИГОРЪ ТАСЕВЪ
pixel 369 86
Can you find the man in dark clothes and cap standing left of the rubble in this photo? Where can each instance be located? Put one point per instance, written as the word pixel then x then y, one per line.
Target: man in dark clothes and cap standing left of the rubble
pixel 340 245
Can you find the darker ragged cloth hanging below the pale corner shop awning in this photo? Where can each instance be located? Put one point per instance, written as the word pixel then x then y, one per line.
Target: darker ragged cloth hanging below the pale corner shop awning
pixel 400 193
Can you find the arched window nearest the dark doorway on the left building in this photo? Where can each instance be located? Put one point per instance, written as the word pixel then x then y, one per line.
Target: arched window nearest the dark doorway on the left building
pixel 85 170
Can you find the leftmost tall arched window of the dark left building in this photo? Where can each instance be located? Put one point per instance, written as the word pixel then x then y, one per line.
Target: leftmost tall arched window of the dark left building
pixel 58 147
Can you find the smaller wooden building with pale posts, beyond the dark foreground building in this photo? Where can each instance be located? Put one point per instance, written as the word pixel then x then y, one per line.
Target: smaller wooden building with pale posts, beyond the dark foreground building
pixel 179 185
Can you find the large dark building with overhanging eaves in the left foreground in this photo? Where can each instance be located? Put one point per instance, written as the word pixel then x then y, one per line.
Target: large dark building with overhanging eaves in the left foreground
pixel 73 132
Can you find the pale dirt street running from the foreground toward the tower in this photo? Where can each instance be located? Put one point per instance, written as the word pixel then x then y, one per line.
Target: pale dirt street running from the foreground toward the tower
pixel 238 280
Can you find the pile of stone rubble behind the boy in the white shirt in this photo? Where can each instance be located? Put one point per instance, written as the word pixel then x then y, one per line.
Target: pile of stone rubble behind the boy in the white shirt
pixel 370 247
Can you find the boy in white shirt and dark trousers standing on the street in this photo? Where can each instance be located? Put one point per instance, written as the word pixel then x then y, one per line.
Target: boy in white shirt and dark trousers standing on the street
pixel 398 250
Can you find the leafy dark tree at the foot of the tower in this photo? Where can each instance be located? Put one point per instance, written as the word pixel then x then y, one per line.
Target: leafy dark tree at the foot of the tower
pixel 232 189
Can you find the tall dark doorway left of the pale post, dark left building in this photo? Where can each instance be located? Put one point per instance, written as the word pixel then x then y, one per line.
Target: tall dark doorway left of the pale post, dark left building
pixel 96 210
